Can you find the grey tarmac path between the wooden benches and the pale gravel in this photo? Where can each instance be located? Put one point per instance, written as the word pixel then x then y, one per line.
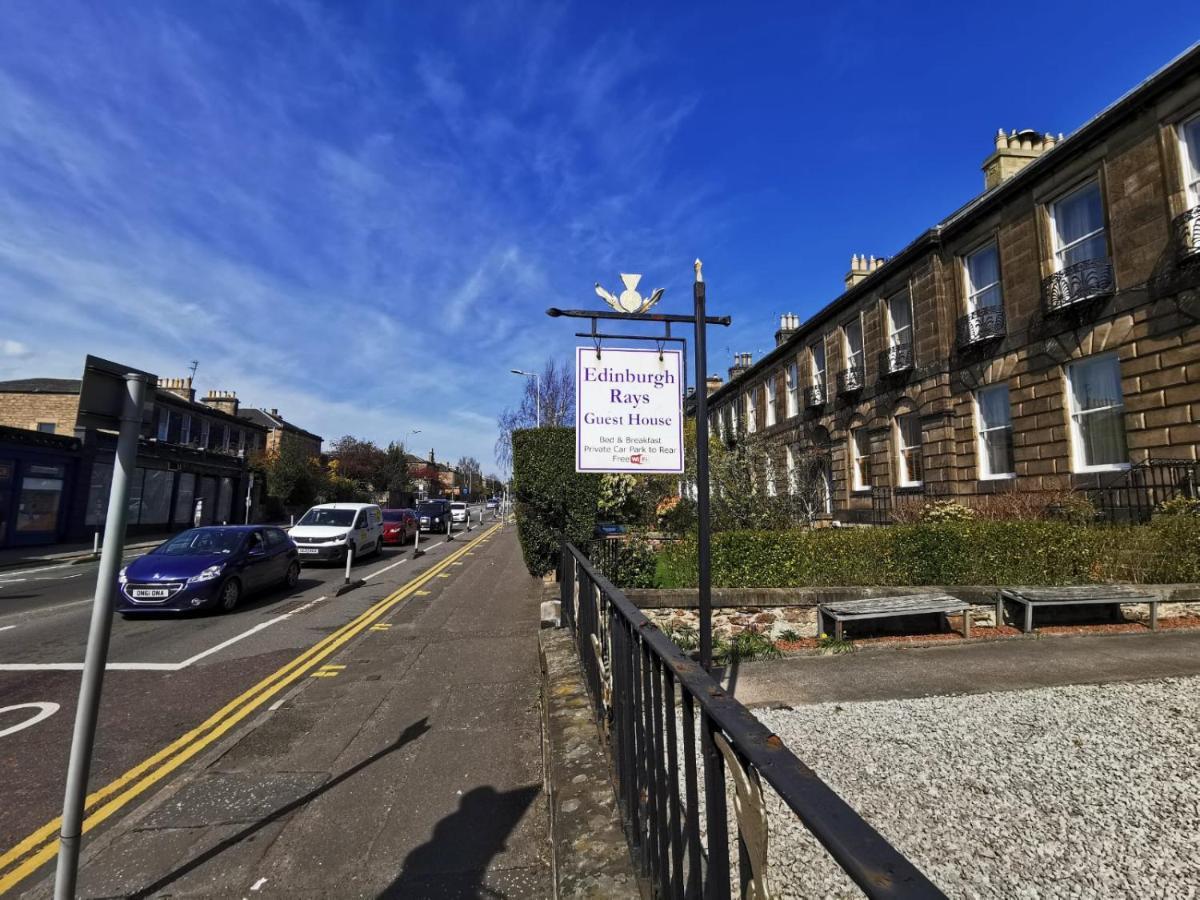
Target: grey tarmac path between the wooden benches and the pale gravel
pixel 977 668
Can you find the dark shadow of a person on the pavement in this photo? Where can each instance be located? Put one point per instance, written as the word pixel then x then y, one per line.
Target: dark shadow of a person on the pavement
pixel 454 862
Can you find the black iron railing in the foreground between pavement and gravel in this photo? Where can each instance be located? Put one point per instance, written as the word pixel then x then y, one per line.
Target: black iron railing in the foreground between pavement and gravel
pixel 652 704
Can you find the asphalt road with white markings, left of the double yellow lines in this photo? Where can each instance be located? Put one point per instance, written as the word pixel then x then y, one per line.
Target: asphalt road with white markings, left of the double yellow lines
pixel 165 677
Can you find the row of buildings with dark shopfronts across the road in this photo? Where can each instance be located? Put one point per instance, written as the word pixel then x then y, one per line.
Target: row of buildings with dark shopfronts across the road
pixel 193 460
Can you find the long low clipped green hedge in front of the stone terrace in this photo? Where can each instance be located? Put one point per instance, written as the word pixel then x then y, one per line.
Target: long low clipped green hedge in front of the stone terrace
pixel 973 553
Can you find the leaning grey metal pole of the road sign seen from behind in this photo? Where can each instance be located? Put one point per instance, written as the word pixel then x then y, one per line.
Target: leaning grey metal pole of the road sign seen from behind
pixel 88 709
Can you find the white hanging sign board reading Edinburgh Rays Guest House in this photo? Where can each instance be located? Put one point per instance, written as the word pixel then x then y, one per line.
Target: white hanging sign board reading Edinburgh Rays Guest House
pixel 628 411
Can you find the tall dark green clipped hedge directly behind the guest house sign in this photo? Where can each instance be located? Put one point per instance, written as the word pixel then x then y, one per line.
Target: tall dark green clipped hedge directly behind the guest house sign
pixel 551 499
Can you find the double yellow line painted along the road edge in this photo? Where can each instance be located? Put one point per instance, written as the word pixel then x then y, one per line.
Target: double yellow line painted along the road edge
pixel 43 845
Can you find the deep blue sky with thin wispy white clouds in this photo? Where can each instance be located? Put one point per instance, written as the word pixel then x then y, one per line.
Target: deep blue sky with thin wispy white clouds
pixel 358 212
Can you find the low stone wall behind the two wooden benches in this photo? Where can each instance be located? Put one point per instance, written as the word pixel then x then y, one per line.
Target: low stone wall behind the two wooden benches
pixel 775 611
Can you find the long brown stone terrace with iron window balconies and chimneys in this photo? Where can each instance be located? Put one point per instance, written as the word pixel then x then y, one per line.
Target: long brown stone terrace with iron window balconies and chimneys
pixel 1043 338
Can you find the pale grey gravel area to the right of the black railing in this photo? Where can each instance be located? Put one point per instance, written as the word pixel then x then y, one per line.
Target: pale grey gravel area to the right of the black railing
pixel 1088 791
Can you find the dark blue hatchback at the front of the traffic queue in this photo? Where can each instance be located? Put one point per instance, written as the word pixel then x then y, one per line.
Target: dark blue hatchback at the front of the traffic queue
pixel 208 568
